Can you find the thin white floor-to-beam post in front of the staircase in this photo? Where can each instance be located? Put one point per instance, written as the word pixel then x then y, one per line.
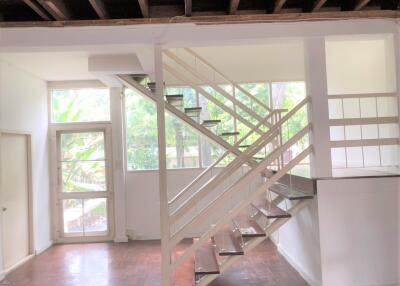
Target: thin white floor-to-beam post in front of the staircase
pixel 162 169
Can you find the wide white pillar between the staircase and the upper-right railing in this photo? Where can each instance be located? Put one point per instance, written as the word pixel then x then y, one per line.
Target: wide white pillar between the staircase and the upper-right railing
pixel 317 89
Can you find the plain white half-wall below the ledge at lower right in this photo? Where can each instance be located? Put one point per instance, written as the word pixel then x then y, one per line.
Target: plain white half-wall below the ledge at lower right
pixel 359 237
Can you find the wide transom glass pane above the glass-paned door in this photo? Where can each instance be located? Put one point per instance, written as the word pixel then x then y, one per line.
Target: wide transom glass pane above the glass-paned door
pixel 80 105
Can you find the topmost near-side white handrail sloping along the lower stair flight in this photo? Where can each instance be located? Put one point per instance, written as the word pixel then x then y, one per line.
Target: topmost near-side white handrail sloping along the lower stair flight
pixel 235 164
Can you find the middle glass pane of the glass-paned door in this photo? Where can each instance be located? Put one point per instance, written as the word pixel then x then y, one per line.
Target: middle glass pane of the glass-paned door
pixel 84 176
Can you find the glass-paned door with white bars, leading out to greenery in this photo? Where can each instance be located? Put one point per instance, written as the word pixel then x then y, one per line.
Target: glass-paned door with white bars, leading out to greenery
pixel 84 193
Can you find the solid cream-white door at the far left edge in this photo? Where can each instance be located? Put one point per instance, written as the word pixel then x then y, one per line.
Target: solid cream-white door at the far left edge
pixel 14 198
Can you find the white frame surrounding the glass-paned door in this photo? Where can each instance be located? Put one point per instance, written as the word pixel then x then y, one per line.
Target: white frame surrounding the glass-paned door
pixel 56 208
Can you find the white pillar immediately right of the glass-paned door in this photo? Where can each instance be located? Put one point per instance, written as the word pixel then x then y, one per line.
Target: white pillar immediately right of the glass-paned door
pixel 118 164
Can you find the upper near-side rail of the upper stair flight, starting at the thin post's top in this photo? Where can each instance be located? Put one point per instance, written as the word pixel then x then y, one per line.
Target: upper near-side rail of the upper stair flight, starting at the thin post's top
pixel 204 79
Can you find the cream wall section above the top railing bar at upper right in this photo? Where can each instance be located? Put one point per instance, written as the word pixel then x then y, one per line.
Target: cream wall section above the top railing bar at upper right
pixel 360 64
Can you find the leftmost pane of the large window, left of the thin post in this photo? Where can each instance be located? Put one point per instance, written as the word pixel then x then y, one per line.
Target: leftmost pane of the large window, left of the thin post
pixel 141 132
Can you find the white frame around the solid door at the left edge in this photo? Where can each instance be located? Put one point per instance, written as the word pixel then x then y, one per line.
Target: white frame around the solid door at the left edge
pixel 31 239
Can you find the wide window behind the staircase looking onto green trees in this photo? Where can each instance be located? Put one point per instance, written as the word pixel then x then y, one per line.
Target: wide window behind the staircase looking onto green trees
pixel 186 148
